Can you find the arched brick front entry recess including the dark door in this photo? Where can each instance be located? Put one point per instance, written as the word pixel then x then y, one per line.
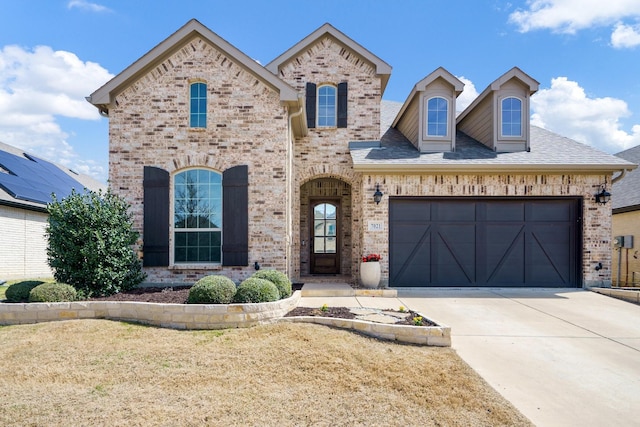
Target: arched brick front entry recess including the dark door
pixel 325 227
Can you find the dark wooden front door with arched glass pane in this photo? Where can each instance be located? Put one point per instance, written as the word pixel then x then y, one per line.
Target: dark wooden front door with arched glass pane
pixel 325 257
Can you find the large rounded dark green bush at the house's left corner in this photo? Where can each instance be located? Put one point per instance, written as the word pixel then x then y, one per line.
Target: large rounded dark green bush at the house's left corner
pixel 91 240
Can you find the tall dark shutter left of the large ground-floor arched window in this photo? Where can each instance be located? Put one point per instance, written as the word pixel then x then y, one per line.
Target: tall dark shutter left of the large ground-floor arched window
pixel 156 217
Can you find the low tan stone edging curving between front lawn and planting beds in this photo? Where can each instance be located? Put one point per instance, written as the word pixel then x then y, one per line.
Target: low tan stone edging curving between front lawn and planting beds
pixel 210 316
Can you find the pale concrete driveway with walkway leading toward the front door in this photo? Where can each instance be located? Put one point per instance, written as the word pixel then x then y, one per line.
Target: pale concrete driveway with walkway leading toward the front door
pixel 563 357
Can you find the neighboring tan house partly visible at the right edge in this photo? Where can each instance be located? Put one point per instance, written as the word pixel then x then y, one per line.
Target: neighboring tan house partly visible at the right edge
pixel 626 223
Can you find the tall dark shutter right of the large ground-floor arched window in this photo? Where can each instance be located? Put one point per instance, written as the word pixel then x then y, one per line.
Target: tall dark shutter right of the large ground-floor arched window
pixel 235 216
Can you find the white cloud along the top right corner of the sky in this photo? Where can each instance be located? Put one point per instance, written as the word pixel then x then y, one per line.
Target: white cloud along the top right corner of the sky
pixel 569 16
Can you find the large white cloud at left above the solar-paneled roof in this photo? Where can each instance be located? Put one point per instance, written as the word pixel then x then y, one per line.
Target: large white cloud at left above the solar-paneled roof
pixel 38 86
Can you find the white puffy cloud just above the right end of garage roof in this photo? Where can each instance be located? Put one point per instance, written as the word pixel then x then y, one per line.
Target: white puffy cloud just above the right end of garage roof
pixel 566 109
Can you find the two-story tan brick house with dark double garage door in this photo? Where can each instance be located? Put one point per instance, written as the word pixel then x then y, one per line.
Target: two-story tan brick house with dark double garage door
pixel 229 164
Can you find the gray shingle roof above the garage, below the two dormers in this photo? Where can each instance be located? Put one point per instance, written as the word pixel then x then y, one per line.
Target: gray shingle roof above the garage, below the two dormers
pixel 549 152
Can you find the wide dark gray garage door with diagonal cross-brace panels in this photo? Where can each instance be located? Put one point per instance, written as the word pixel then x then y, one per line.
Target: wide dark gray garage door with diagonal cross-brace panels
pixel 492 242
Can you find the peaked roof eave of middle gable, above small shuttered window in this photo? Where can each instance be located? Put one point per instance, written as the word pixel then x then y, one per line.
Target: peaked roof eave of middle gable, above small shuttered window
pixel 383 70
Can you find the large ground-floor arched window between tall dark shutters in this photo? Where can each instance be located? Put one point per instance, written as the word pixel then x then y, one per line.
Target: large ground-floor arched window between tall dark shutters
pixel 197 216
